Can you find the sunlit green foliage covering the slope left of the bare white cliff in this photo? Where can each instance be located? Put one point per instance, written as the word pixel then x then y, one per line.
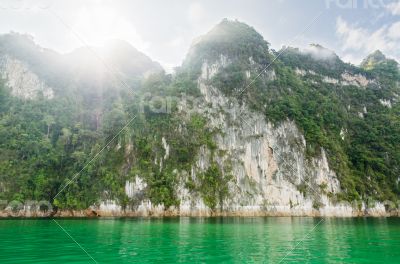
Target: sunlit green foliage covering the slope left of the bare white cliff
pixel 46 143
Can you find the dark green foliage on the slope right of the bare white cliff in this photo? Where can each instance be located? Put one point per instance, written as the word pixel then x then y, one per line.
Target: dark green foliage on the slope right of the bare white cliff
pixel 359 133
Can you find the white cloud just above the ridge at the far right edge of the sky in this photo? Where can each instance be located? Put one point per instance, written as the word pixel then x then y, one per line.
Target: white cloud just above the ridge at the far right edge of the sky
pixel 358 39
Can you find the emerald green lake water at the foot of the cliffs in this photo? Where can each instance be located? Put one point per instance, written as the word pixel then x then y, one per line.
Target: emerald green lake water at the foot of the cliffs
pixel 206 240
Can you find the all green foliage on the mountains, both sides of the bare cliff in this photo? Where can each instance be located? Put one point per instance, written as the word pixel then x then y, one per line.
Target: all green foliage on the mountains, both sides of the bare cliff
pixel 45 143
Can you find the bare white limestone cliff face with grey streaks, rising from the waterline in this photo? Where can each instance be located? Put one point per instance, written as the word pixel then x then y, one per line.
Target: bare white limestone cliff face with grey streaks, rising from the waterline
pixel 272 175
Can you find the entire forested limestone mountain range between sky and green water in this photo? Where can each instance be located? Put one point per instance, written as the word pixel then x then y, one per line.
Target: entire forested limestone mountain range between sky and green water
pixel 289 132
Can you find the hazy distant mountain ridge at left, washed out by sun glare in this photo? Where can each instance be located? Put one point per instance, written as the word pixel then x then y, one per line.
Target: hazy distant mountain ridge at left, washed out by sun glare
pixel 87 64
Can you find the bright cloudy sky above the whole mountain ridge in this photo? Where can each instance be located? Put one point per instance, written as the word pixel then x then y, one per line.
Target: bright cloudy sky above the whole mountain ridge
pixel 164 30
